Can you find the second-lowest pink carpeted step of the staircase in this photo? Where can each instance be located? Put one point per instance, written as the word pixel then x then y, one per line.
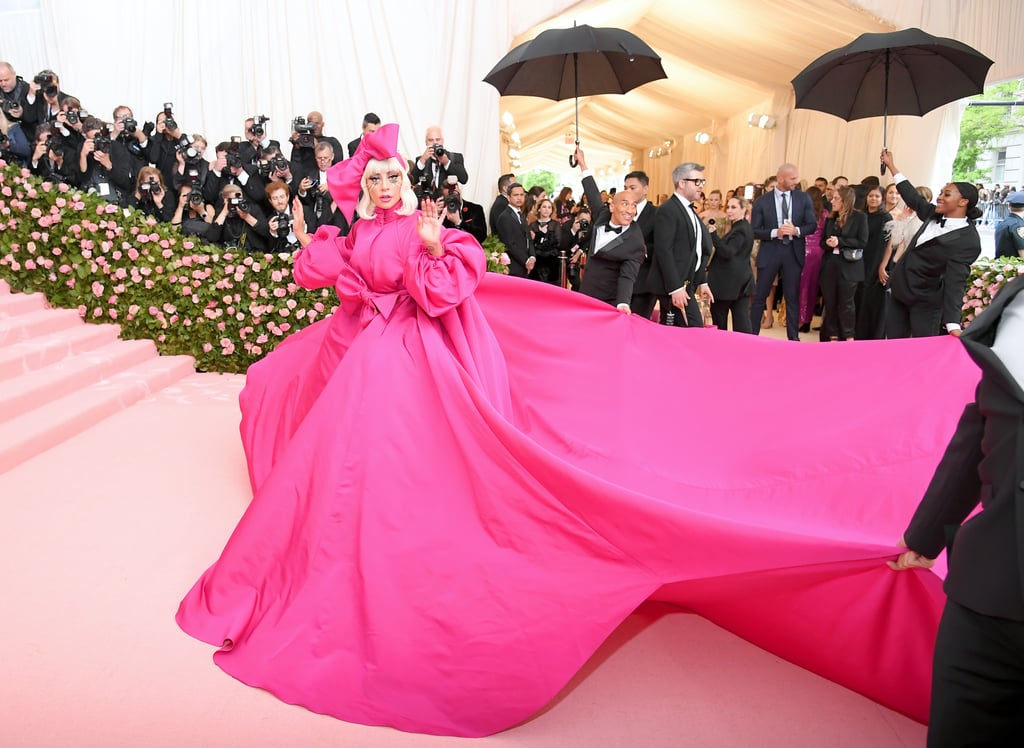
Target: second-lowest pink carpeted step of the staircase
pixel 39 388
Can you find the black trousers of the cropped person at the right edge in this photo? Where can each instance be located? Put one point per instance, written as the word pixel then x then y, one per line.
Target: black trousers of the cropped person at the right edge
pixel 977 681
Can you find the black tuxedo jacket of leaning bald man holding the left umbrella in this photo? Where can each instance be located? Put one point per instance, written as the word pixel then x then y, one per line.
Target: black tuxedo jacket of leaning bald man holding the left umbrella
pixel 612 272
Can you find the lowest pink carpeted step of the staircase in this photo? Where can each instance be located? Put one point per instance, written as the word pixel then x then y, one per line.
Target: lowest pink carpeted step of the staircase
pixel 30 434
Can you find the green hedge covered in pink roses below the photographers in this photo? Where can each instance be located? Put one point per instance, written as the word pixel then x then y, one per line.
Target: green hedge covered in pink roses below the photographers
pixel 227 309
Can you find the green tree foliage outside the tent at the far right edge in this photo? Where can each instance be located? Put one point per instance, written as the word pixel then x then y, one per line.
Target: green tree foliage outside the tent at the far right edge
pixel 982 127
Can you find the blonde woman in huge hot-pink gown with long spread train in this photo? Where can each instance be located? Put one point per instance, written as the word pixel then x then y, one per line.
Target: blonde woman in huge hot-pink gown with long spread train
pixel 439 538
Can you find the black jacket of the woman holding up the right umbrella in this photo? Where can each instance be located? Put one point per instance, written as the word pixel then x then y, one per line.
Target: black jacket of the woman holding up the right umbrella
pixel 934 273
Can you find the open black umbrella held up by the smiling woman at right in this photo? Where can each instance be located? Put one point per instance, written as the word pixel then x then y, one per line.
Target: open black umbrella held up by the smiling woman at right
pixel 900 73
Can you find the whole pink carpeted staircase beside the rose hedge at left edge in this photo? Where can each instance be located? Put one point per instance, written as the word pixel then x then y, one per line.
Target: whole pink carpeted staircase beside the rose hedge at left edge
pixel 60 377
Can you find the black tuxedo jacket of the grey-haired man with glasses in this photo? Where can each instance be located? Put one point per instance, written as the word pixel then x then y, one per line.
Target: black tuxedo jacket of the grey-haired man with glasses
pixel 676 256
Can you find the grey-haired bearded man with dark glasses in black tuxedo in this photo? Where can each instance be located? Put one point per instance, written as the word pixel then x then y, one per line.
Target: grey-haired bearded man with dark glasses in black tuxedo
pixel 681 251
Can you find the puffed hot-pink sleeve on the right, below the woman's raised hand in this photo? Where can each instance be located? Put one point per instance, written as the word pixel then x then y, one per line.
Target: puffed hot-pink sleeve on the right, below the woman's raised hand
pixel 441 284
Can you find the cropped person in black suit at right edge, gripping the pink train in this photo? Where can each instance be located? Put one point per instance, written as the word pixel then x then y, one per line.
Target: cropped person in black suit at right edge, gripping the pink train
pixel 978 669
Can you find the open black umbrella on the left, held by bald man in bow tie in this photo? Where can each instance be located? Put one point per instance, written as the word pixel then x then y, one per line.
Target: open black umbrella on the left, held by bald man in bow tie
pixel 578 62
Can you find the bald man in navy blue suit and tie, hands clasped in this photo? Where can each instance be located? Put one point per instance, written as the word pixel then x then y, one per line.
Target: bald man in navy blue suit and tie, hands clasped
pixel 782 220
